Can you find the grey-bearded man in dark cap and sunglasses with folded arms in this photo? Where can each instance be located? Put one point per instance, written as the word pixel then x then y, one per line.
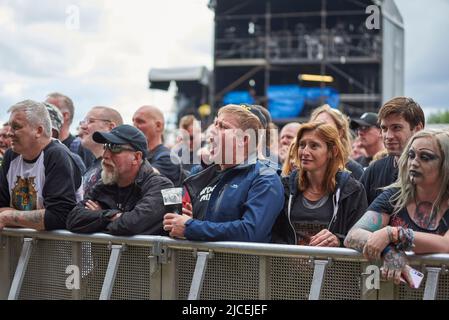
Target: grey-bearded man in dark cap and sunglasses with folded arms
pixel 127 200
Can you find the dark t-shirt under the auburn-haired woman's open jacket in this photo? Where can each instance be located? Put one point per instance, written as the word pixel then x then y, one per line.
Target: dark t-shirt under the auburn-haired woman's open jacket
pixel 309 217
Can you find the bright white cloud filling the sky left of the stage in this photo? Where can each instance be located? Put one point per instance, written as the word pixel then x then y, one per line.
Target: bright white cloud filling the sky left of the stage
pixel 106 61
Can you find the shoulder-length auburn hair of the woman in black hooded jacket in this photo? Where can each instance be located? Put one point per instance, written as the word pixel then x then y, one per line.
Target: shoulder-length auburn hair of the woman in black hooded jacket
pixel 336 162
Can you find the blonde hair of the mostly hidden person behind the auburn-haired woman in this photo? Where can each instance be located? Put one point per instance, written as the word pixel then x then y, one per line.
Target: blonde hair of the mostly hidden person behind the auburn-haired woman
pixel 342 123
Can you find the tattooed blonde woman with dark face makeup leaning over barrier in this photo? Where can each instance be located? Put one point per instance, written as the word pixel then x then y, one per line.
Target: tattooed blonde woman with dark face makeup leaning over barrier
pixel 412 214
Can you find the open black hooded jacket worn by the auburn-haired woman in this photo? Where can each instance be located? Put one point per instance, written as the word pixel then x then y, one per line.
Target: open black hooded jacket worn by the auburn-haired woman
pixel 349 205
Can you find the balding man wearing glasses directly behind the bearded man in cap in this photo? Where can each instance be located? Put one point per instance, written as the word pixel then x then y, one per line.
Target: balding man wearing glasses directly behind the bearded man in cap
pixel 102 119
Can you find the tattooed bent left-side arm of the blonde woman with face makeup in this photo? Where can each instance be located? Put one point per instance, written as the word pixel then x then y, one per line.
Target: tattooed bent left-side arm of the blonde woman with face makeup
pixel 371 223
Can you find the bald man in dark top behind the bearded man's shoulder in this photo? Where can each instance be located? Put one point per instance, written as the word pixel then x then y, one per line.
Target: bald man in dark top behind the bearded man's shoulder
pixel 150 121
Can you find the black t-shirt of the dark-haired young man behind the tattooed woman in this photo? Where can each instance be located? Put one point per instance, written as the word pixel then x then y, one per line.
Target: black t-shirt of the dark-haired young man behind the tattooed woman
pixel 379 174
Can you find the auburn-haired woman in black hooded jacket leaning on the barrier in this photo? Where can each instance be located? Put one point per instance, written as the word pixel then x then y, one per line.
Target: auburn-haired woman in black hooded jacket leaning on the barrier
pixel 322 200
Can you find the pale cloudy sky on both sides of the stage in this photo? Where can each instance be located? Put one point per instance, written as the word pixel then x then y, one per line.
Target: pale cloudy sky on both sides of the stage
pixel 99 52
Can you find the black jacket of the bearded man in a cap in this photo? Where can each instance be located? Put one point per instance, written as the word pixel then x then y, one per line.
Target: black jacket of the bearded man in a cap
pixel 142 213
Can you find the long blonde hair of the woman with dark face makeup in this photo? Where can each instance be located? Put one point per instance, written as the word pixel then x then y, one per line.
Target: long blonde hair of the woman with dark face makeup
pixel 407 191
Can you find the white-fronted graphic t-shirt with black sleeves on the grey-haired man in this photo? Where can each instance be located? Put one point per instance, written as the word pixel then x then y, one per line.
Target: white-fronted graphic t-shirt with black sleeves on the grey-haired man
pixel 50 181
